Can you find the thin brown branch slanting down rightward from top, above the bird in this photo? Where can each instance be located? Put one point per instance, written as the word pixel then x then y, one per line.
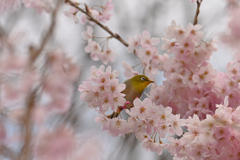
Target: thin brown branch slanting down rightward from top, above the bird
pixel 114 35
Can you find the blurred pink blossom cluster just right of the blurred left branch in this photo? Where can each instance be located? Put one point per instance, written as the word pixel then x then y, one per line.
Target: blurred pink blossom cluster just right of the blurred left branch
pixel 58 84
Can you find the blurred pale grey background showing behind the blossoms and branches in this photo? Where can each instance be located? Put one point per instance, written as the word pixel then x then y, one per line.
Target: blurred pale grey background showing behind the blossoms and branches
pixel 26 28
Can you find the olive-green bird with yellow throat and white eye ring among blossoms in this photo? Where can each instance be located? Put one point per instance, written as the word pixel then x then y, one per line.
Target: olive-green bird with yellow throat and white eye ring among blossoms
pixel 134 89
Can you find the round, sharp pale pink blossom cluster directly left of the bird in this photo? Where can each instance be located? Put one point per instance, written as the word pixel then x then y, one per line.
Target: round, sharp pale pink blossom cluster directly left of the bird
pixel 103 90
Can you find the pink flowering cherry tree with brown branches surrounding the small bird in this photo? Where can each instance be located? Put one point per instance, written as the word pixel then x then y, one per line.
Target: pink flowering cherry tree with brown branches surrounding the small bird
pixel 196 107
